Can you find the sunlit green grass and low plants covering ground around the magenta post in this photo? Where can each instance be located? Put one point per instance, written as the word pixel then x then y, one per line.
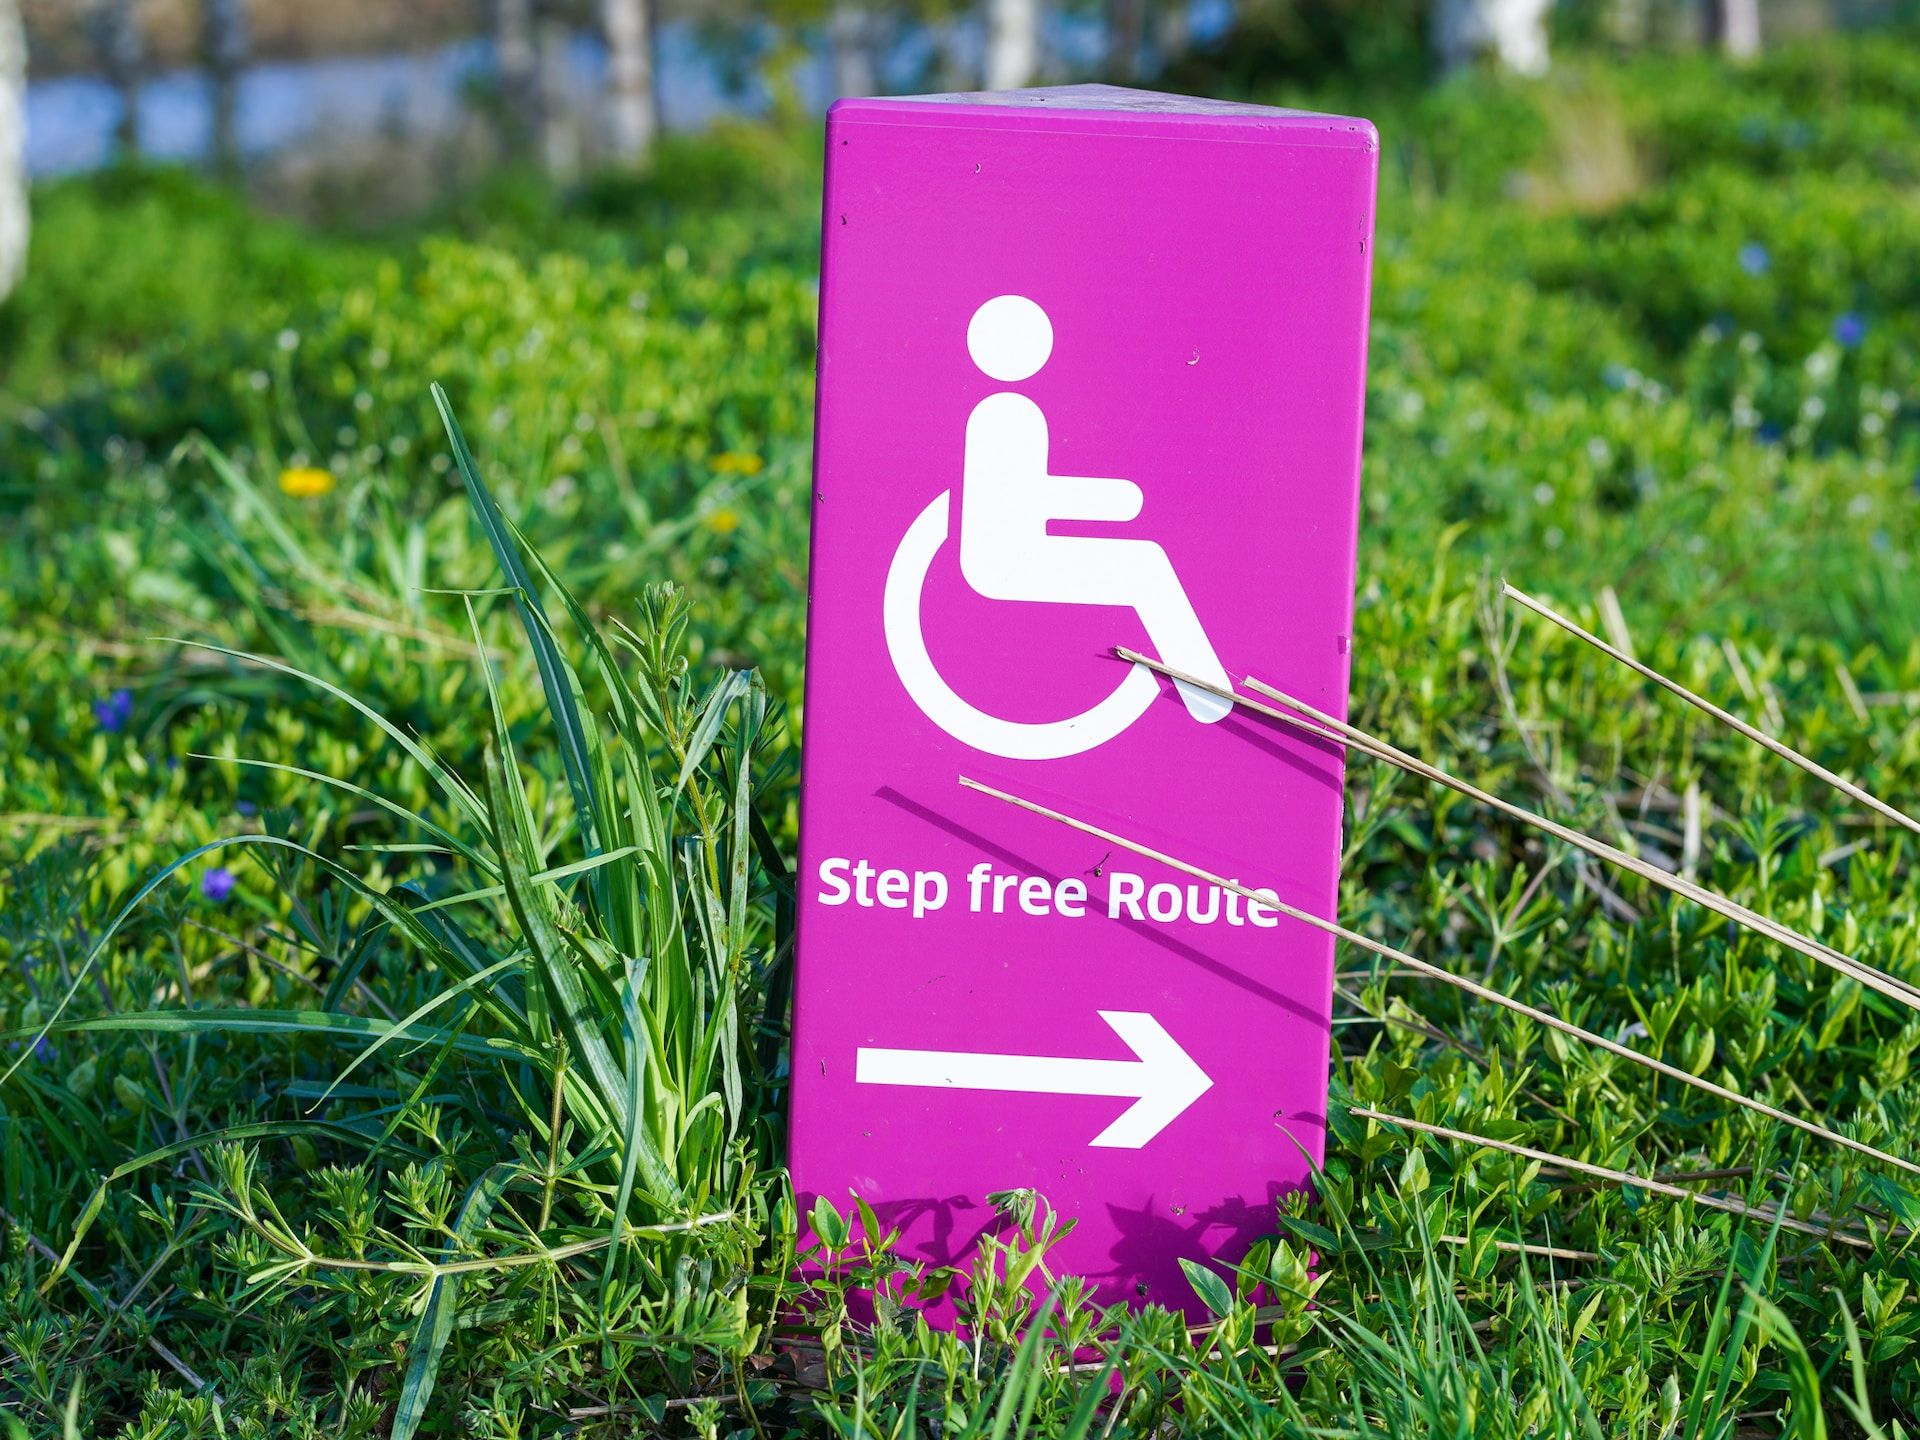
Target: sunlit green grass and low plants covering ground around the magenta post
pixel 460 1115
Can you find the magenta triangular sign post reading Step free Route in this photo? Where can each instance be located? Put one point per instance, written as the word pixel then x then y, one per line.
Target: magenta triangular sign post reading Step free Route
pixel 1092 375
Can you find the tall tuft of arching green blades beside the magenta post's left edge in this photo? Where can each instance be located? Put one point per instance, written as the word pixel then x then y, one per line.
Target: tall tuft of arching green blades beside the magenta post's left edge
pixel 567 1107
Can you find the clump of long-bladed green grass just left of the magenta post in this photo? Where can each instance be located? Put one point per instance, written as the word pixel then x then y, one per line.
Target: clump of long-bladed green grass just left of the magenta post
pixel 602 951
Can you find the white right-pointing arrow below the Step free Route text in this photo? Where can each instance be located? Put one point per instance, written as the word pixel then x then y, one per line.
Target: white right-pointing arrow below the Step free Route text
pixel 1163 1080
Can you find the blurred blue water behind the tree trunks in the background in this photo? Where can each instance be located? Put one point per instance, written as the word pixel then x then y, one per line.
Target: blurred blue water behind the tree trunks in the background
pixel 418 95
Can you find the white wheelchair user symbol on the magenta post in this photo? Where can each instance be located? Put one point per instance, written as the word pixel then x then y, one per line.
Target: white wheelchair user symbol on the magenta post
pixel 1007 500
